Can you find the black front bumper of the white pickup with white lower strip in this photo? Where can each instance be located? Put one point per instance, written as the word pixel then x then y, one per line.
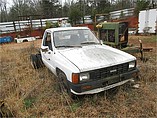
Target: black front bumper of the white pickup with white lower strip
pixel 97 86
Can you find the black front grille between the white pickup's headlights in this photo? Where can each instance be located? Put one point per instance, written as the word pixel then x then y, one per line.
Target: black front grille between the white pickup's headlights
pixel 109 71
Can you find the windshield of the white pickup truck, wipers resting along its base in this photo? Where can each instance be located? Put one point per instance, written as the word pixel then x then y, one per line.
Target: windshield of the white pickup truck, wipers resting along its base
pixel 77 37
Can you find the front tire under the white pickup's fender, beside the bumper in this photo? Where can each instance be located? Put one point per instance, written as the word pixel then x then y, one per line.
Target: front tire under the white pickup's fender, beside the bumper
pixel 64 84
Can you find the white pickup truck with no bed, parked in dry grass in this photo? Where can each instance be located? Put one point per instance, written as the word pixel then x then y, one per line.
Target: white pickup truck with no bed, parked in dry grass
pixel 82 63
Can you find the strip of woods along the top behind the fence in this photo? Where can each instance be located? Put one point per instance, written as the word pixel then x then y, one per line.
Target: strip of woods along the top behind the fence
pixel 74 9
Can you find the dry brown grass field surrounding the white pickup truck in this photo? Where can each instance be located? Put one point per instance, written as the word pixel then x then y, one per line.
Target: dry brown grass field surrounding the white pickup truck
pixel 34 93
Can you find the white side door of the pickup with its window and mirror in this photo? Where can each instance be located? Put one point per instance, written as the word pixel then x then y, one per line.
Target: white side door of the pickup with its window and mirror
pixel 47 51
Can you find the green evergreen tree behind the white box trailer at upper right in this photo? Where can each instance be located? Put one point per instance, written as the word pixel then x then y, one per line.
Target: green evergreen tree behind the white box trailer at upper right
pixel 140 5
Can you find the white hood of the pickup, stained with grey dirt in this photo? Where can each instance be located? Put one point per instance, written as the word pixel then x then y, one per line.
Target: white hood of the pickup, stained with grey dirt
pixel 95 56
